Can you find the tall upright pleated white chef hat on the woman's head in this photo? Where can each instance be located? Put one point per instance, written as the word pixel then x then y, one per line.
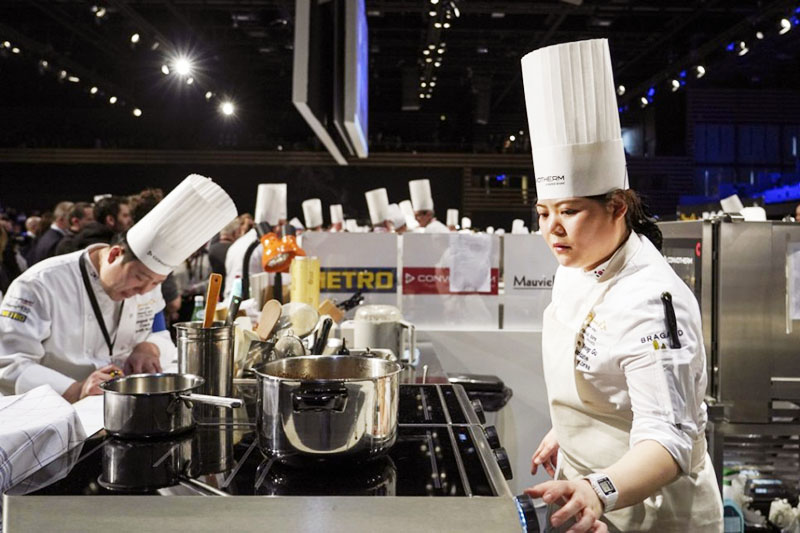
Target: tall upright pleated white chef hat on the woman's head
pixel 573 120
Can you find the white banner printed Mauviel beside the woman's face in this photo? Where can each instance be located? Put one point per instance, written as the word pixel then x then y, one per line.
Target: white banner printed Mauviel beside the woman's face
pixel 529 269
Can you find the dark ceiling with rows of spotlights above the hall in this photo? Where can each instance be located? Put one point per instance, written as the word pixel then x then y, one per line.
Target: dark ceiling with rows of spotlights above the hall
pixel 243 50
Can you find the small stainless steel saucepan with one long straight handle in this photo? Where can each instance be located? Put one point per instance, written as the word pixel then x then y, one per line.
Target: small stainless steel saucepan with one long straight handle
pixel 154 405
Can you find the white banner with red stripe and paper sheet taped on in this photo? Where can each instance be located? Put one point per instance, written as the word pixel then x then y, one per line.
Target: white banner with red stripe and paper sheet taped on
pixel 432 298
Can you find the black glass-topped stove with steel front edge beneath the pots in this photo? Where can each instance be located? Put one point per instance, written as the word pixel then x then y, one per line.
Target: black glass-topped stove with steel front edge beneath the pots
pixel 446 472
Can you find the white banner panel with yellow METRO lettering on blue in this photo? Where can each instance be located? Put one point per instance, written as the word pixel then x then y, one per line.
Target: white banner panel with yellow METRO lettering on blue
pixel 351 262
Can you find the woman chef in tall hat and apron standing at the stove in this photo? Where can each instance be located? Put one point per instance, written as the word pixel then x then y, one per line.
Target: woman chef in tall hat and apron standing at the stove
pixel 622 342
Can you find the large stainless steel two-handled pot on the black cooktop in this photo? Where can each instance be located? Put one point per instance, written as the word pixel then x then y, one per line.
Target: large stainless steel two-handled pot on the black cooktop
pixel 323 407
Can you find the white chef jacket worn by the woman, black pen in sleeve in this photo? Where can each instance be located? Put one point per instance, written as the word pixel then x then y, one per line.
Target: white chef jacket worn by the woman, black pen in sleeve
pixel 623 352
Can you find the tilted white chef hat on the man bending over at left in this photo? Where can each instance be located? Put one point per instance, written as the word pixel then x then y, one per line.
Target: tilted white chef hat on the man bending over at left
pixel 195 210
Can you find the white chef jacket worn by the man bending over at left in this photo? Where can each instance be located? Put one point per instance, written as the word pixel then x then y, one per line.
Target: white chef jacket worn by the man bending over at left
pixel 49 334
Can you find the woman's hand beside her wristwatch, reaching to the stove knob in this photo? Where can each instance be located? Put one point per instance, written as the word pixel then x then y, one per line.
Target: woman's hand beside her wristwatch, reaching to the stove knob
pixel 577 500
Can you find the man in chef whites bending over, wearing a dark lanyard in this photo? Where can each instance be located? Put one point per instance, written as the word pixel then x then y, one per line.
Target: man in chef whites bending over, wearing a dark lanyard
pixel 71 320
